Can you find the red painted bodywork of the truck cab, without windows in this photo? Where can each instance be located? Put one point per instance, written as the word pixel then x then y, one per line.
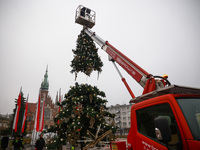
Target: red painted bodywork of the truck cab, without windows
pixel 138 141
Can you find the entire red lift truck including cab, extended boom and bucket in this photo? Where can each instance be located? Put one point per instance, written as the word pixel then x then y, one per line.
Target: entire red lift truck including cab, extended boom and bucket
pixel 165 116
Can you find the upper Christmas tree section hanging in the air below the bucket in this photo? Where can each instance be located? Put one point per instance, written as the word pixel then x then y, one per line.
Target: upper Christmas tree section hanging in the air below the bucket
pixel 86 58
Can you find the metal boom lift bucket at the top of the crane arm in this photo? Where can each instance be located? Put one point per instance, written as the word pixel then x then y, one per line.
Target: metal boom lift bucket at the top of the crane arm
pixel 85 16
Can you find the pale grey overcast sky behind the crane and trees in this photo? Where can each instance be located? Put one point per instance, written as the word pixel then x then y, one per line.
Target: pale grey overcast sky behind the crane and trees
pixel 161 36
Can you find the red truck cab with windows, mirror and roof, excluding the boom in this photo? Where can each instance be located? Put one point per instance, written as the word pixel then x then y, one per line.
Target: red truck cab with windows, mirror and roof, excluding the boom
pixel 180 128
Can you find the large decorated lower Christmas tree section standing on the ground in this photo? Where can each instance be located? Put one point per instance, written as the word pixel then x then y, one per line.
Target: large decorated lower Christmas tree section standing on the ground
pixel 83 116
